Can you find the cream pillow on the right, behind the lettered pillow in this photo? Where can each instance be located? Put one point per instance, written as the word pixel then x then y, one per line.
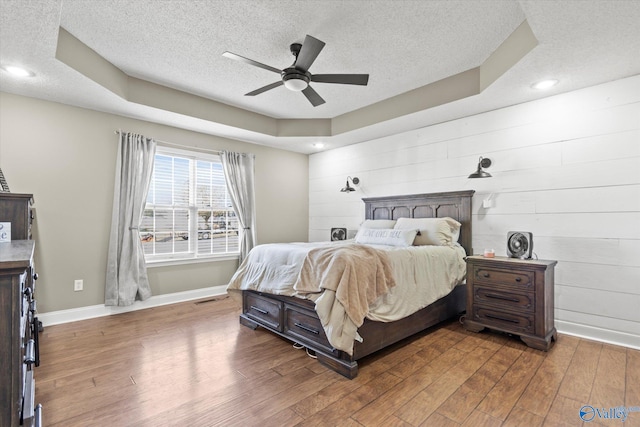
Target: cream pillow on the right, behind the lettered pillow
pixel 433 231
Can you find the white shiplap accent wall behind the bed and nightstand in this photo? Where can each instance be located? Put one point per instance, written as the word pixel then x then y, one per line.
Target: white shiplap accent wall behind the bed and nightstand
pixel 566 168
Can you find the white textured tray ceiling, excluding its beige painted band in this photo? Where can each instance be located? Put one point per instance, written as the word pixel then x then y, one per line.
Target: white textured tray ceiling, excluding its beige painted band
pixel 403 45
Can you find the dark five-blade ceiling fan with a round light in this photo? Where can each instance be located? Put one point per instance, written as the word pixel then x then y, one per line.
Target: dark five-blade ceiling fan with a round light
pixel 297 77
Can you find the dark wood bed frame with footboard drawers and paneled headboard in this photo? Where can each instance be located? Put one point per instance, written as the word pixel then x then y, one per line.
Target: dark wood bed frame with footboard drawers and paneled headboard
pixel 297 319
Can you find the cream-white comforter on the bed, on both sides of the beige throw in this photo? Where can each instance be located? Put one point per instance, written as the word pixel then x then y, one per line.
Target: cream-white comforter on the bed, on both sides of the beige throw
pixel 423 274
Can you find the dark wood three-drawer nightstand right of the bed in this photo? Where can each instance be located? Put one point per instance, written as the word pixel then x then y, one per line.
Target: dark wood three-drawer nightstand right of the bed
pixel 512 295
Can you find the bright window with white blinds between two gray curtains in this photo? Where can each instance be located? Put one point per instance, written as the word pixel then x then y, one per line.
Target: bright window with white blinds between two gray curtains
pixel 188 213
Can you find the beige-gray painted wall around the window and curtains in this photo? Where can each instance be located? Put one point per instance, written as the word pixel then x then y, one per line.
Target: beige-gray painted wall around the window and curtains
pixel 66 157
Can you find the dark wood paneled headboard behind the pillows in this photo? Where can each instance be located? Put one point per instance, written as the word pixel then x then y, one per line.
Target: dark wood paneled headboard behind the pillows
pixel 456 204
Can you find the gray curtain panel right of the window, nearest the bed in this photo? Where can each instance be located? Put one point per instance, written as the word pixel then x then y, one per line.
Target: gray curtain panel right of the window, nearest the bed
pixel 240 176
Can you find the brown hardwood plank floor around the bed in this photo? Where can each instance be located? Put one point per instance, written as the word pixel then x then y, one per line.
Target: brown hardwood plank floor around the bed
pixel 192 364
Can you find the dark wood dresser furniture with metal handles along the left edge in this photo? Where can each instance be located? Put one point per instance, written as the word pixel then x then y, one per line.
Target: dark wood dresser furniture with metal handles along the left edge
pixel 19 325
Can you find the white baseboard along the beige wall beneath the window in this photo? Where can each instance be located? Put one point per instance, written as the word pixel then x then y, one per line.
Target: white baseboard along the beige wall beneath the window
pixel 92 311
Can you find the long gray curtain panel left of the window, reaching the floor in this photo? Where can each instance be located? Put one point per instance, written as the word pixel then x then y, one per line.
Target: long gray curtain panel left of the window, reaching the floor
pixel 126 268
